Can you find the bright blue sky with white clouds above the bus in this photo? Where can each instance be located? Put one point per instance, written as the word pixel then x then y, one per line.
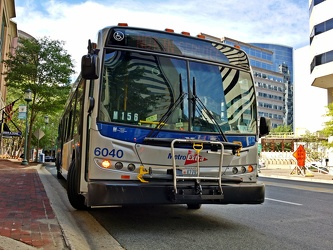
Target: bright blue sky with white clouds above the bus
pixel 284 22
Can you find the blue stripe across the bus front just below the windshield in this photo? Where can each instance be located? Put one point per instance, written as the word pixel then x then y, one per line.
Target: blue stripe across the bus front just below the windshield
pixel 137 135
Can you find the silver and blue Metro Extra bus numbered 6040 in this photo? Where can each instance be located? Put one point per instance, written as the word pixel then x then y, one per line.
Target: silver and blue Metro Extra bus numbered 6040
pixel 157 117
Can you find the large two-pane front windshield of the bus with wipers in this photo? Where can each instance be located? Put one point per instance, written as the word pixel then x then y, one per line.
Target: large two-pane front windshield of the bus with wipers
pixel 150 90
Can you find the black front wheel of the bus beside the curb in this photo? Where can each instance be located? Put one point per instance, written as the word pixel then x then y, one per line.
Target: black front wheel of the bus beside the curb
pixel 76 199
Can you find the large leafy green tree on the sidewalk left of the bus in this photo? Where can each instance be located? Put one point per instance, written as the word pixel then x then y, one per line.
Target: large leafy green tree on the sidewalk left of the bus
pixel 43 66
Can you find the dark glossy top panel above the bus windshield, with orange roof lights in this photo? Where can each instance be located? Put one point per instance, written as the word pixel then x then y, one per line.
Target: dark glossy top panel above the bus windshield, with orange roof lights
pixel 169 42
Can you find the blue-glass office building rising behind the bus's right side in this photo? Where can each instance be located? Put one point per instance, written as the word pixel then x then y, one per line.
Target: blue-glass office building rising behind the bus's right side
pixel 272 67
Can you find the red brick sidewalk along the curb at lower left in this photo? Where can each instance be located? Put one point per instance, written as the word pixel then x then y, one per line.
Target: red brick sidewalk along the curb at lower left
pixel 25 211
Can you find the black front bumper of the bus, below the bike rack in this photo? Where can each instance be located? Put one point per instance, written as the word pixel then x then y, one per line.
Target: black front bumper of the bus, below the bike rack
pixel 109 193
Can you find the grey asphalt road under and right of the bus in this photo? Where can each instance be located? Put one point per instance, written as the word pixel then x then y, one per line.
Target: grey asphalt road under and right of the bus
pixel 295 215
